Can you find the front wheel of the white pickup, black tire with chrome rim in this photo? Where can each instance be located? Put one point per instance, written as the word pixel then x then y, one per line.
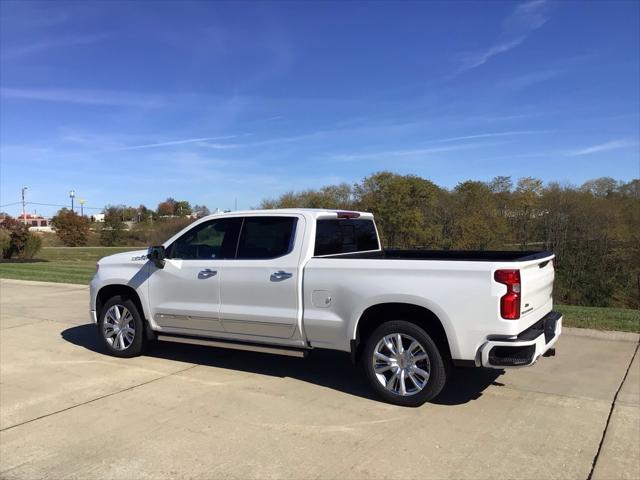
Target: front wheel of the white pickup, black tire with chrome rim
pixel 121 327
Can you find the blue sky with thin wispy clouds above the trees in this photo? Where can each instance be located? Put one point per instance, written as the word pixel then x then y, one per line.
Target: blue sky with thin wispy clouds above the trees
pixel 132 102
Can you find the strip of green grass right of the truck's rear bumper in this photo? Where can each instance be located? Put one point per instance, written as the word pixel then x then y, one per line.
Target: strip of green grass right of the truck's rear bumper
pixel 600 318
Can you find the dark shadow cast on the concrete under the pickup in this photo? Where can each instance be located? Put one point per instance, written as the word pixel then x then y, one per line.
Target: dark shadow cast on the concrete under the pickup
pixel 326 368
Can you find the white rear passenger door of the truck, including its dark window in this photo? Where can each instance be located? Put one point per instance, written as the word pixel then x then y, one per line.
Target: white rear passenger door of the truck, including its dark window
pixel 259 288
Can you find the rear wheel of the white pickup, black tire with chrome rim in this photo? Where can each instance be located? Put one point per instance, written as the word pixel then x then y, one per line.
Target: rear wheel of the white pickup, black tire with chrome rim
pixel 403 364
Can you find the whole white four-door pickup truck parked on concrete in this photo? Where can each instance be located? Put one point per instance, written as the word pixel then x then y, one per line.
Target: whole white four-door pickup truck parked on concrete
pixel 290 281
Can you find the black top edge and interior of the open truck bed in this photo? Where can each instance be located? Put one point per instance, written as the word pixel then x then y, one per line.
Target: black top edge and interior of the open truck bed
pixel 466 255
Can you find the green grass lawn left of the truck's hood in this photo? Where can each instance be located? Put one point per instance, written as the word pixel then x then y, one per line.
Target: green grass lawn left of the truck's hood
pixel 60 264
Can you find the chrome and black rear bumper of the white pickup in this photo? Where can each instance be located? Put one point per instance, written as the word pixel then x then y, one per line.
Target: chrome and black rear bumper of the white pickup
pixel 524 349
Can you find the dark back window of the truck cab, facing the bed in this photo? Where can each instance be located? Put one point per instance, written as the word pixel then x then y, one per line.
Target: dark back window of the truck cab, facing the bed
pixel 345 236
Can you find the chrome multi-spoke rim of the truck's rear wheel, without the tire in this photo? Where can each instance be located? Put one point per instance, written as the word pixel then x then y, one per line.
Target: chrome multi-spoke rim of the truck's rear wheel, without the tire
pixel 401 364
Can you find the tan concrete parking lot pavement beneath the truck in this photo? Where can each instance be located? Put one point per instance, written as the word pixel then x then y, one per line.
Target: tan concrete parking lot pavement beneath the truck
pixel 70 411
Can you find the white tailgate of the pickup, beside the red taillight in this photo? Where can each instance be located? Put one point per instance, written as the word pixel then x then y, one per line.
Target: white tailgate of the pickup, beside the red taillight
pixel 537 287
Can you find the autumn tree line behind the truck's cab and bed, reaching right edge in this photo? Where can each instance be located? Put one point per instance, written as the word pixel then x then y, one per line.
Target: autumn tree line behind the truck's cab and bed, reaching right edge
pixel 594 229
